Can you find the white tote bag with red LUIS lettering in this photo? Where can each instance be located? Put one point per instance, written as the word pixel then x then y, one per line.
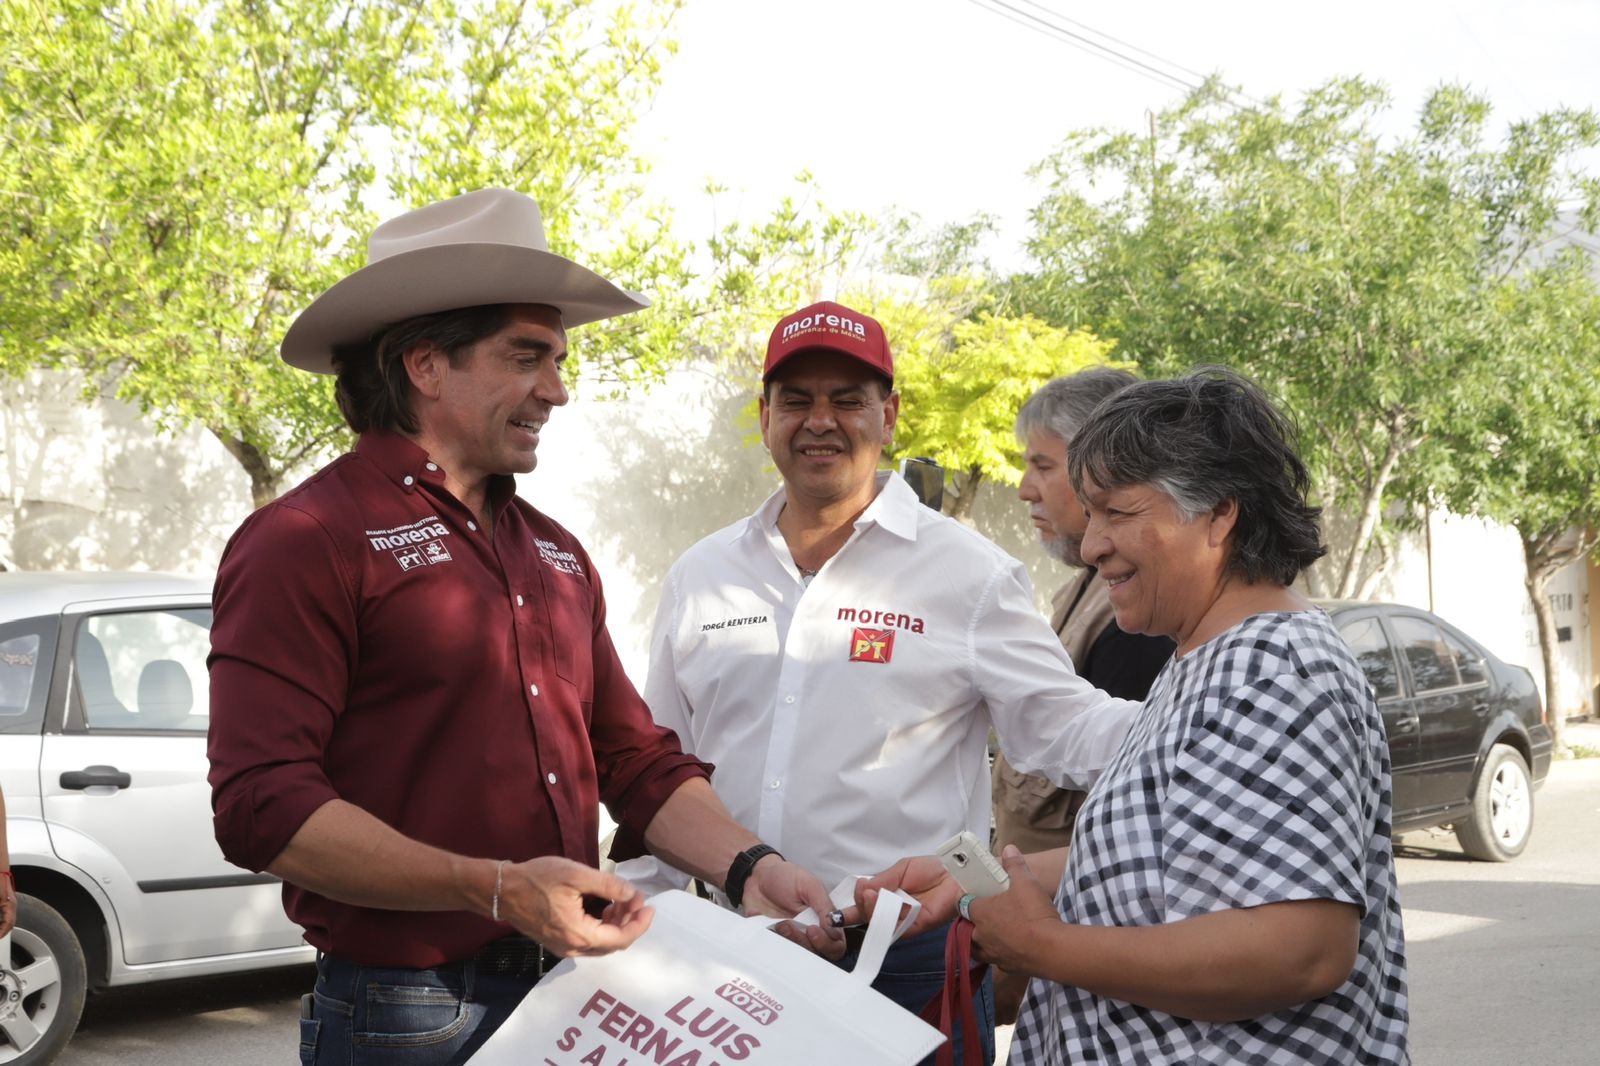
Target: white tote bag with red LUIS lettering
pixel 708 988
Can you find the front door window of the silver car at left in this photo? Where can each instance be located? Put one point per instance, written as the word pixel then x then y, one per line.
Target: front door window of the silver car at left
pixel 143 671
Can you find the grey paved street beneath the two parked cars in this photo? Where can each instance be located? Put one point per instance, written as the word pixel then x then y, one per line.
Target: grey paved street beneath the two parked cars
pixel 1505 963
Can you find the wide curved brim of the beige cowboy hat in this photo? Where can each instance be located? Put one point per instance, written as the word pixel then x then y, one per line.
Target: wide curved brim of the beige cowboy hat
pixel 447 278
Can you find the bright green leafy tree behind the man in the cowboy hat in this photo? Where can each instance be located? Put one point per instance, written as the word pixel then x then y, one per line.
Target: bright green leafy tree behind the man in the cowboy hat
pixel 178 178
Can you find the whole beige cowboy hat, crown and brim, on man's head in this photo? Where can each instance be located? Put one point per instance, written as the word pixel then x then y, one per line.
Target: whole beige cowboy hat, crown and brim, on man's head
pixel 482 247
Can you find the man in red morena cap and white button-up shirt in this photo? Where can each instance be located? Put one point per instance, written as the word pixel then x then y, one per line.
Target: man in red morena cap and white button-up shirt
pixel 842 654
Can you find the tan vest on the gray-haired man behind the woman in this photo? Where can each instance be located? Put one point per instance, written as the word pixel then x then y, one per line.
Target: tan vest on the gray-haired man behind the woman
pixel 1033 812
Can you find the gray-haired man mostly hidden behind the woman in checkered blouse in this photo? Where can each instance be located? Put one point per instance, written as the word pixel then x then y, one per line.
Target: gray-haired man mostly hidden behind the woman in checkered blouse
pixel 1033 812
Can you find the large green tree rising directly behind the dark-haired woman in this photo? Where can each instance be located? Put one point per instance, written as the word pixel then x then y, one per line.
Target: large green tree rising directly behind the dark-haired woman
pixel 1346 273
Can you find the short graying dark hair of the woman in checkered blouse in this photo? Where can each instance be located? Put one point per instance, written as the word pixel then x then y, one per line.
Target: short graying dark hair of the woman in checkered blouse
pixel 1206 438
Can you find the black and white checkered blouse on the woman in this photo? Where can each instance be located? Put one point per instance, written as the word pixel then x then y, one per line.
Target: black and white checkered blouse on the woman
pixel 1255 774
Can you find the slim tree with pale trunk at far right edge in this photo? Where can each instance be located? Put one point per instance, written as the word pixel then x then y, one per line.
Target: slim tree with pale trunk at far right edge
pixel 1529 455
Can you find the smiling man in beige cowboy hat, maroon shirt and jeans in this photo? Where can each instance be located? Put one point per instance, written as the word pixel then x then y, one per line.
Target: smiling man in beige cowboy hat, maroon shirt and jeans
pixel 415 703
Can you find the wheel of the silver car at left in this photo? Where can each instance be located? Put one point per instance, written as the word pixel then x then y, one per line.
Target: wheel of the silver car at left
pixel 42 985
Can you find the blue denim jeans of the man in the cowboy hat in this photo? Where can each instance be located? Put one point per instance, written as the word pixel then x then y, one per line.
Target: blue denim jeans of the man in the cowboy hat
pixel 396 1017
